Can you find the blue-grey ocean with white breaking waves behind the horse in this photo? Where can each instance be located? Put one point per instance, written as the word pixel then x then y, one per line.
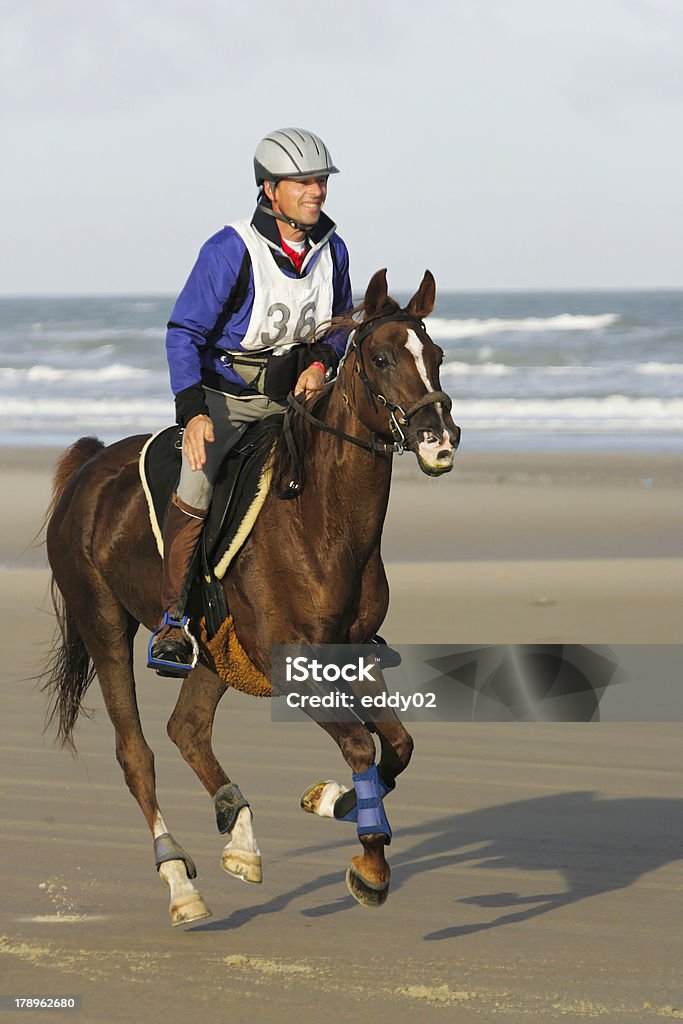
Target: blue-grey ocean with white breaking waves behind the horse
pixel 540 371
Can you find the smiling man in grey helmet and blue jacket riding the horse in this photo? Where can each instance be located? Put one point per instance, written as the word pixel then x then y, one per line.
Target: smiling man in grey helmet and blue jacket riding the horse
pixel 241 337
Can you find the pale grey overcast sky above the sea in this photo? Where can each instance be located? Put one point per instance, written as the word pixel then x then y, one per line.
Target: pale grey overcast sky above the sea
pixel 502 144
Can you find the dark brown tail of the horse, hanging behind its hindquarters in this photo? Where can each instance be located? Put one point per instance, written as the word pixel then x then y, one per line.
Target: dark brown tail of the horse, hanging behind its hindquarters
pixel 69 671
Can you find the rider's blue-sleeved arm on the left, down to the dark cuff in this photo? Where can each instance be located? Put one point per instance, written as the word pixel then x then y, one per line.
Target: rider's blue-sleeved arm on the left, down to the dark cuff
pixel 195 316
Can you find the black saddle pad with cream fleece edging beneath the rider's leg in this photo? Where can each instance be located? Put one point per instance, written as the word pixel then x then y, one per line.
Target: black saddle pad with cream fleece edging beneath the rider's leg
pixel 241 489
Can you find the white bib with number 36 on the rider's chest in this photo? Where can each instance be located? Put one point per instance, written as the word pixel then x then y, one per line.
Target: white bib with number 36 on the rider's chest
pixel 287 311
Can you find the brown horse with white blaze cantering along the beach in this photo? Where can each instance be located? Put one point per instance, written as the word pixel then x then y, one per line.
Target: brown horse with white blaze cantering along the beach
pixel 311 572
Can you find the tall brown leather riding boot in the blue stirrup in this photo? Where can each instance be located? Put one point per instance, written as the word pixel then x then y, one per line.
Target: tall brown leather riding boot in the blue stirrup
pixel 172 644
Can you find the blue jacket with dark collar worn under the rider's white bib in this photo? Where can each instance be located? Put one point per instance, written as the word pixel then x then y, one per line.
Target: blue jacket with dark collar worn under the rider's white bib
pixel 205 324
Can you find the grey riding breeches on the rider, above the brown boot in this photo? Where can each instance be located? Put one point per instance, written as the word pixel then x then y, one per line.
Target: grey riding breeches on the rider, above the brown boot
pixel 231 417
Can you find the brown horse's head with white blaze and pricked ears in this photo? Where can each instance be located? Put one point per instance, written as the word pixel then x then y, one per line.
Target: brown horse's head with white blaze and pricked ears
pixel 397 390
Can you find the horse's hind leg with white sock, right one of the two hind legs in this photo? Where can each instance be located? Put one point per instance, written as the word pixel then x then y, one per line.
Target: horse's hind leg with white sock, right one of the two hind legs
pixel 190 728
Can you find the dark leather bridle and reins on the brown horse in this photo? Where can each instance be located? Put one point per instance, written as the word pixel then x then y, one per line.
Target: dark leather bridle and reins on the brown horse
pixel 400 418
